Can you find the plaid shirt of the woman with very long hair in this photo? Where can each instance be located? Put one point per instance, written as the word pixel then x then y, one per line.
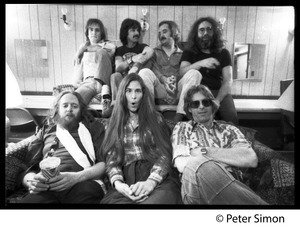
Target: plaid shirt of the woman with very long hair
pixel 133 152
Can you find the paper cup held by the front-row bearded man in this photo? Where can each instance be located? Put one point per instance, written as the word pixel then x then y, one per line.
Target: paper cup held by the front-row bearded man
pixel 50 167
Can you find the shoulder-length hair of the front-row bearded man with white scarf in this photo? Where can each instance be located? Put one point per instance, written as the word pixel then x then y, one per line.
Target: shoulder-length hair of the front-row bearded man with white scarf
pixel 85 115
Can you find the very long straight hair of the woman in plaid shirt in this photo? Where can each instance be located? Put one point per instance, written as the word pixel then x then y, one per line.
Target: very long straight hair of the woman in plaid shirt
pixel 153 132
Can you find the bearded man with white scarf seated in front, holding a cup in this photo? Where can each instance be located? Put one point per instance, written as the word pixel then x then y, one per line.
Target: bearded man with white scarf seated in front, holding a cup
pixel 73 135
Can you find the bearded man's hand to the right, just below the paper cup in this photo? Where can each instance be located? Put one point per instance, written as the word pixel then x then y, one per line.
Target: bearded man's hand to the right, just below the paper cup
pixel 63 181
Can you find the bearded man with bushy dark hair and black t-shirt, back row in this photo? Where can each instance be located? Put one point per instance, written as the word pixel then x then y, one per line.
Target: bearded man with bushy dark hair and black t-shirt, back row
pixel 207 58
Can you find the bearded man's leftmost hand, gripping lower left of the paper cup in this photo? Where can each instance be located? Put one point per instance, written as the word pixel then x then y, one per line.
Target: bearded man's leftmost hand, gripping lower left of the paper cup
pixel 36 183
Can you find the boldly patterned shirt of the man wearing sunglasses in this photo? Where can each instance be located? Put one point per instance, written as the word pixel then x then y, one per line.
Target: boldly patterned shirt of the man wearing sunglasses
pixel 189 135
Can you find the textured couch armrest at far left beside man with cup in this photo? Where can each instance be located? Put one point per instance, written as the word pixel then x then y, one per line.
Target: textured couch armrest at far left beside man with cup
pixel 14 163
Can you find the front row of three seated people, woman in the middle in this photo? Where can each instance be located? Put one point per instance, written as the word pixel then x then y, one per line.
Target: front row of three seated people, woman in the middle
pixel 136 154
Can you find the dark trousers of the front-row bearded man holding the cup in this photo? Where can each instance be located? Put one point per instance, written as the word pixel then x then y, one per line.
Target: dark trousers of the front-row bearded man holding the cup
pixel 87 192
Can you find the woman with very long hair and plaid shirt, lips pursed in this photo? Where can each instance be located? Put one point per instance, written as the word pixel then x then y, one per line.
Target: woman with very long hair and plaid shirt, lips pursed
pixel 138 151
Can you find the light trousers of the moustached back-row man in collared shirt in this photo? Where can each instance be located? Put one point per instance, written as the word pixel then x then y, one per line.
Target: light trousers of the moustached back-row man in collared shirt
pixel 158 90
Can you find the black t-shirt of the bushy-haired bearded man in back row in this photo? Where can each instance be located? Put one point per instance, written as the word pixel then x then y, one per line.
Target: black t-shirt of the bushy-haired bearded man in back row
pixel 212 78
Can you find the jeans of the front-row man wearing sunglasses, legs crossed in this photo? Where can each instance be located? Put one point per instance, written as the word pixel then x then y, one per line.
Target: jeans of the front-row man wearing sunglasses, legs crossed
pixel 205 181
